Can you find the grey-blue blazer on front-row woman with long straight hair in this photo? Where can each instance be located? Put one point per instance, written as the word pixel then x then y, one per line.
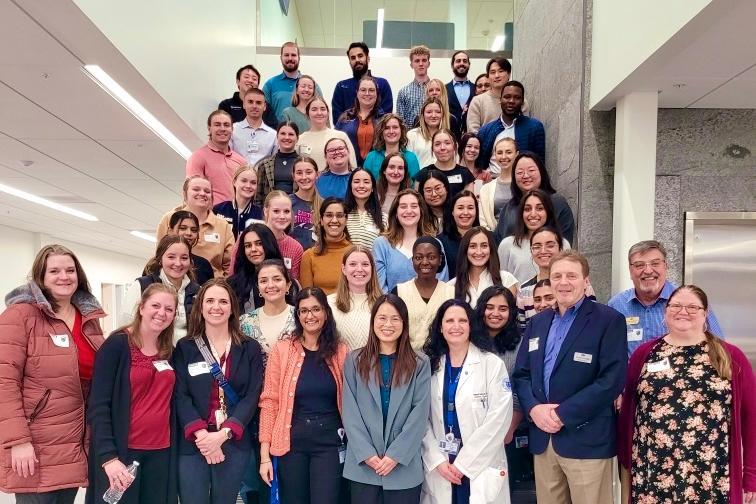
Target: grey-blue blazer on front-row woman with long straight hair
pixel 406 423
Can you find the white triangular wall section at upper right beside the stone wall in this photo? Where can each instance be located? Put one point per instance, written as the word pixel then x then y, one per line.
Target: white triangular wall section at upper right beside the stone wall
pixel 625 34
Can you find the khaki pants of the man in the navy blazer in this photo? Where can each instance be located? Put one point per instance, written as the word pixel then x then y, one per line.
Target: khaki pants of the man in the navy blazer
pixel 561 480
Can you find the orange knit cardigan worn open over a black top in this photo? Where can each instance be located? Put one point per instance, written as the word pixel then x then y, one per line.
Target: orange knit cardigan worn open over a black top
pixel 277 398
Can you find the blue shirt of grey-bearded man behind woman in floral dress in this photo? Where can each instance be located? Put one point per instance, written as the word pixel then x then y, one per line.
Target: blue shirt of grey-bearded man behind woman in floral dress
pixel 646 323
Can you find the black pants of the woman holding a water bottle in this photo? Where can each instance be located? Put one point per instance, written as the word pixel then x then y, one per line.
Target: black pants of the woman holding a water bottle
pixel 151 483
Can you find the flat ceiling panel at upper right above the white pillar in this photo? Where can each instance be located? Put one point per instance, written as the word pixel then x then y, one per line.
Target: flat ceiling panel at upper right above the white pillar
pixel 709 63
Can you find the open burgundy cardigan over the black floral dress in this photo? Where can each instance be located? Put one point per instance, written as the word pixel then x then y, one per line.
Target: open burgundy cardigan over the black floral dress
pixel 743 431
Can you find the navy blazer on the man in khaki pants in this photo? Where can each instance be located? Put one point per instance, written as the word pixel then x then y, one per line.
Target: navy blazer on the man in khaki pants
pixel 588 375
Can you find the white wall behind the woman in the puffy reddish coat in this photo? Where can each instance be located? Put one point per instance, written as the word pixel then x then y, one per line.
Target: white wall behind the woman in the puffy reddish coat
pixel 101 266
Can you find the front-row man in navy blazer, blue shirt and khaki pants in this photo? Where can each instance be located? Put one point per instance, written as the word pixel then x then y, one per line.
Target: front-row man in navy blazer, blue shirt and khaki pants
pixel 570 368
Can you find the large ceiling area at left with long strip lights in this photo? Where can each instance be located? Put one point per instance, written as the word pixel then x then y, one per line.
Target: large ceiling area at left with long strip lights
pixel 86 151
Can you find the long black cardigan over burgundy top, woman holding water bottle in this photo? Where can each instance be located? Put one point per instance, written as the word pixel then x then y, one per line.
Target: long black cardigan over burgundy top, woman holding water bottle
pixel 109 415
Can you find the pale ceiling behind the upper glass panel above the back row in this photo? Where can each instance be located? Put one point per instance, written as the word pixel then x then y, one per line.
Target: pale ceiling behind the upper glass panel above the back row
pixel 322 21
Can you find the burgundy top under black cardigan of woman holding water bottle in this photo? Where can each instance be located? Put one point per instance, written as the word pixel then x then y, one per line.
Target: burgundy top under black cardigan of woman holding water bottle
pixel 151 392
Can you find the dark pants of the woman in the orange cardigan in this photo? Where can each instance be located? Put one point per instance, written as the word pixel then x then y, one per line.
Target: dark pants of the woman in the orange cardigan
pixel 311 472
